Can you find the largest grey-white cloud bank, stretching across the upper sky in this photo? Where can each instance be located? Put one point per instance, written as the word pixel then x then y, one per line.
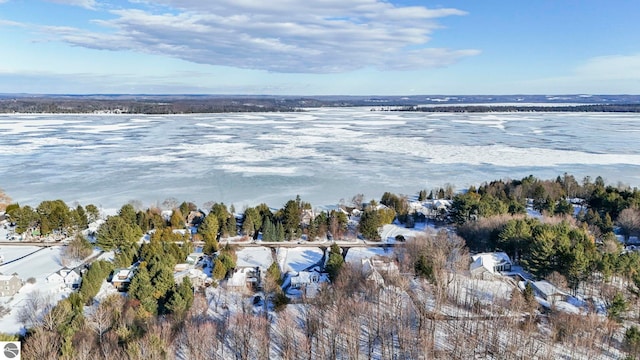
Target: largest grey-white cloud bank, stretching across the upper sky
pixel 280 36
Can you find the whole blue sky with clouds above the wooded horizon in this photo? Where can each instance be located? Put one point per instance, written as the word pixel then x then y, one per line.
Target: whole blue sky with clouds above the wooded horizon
pixel 322 47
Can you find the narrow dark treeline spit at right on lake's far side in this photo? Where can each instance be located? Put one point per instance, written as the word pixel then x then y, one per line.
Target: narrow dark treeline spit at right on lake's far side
pixel 634 108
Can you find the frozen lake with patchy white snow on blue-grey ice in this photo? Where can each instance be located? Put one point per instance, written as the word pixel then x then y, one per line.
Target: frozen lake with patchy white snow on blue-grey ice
pixel 323 155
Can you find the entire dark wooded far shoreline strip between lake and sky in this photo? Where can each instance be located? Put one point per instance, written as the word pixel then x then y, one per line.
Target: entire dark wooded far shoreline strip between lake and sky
pixel 202 104
